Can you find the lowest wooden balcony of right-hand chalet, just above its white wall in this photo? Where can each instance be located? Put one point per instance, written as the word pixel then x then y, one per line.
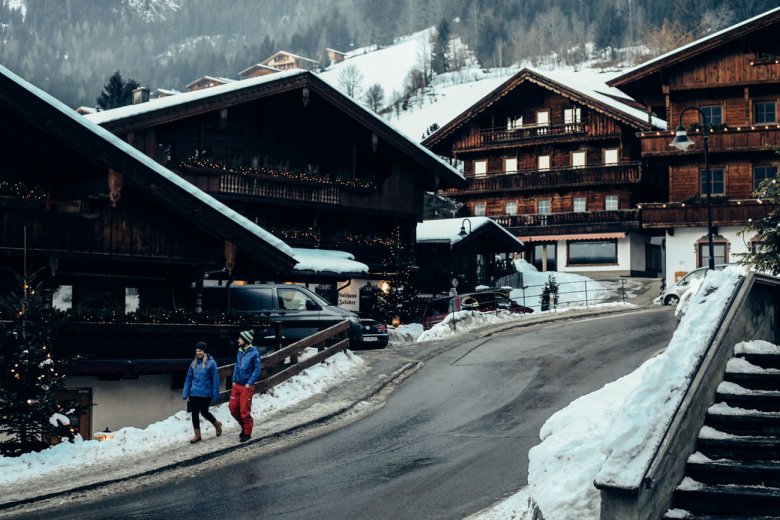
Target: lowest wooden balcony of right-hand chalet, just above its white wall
pixel 724 213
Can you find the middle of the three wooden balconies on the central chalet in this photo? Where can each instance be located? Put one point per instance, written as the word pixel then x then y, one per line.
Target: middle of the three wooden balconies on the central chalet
pixel 623 173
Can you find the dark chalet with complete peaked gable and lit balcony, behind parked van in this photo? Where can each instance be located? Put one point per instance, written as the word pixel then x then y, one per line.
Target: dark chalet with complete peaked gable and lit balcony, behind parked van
pixel 297 157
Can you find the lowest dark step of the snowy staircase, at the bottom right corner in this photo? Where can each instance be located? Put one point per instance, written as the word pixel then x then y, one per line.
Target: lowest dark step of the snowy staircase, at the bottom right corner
pixel 732 499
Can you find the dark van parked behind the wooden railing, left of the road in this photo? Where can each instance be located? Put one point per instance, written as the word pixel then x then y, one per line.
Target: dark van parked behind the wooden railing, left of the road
pixel 301 311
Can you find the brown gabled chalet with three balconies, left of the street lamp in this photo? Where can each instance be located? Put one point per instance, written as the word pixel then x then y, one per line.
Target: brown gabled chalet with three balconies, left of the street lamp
pixel 555 159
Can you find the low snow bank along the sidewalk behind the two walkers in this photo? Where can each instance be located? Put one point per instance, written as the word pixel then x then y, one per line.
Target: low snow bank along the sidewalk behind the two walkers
pixel 174 431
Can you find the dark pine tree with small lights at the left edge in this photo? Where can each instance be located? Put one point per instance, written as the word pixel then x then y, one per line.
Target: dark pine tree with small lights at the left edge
pixel 30 376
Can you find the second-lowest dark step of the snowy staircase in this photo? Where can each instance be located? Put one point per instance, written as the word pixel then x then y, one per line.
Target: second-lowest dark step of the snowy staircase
pixel 735 472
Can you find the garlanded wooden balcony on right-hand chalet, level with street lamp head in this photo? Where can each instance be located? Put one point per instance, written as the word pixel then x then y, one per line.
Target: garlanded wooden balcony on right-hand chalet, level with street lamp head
pixel 740 139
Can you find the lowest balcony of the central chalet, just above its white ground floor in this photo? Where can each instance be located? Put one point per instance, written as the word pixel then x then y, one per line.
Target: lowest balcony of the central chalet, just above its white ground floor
pixel 581 221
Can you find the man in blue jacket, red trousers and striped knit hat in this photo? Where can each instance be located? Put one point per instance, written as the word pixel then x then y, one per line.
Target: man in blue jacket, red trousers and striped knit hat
pixel 245 375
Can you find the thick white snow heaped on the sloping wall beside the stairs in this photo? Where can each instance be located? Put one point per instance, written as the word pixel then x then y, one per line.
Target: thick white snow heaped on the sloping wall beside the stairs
pixel 607 436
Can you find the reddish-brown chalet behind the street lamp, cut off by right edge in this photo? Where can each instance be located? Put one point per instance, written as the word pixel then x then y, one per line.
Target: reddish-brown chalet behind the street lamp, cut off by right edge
pixel 733 77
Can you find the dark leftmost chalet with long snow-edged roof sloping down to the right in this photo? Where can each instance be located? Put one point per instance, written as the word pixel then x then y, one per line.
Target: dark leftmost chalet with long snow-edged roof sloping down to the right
pixel 107 230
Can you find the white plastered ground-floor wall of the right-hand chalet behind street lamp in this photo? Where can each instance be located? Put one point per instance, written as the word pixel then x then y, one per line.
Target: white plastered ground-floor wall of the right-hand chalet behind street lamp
pixel 681 248
